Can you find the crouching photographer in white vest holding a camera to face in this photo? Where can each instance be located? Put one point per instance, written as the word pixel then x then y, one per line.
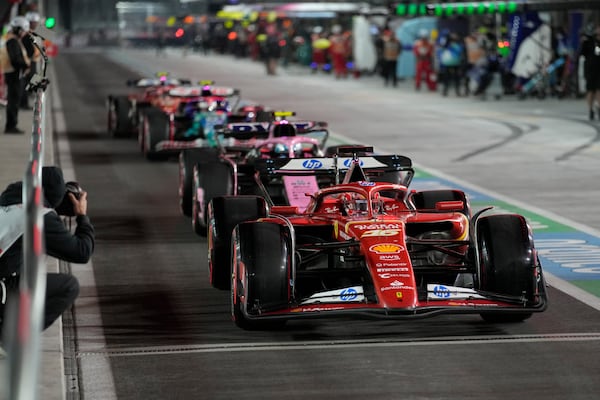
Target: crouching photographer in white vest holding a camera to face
pixel 66 199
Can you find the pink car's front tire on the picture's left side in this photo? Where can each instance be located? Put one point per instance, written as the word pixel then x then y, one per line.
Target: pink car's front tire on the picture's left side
pixel 209 180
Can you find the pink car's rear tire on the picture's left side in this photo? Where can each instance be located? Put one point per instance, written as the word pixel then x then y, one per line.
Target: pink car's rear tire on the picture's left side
pixel 187 159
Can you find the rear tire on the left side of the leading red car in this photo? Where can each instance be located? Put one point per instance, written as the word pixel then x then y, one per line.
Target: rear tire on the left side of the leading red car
pixel 224 213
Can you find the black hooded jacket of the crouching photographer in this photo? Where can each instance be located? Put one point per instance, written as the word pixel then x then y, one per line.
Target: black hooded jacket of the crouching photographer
pixel 60 243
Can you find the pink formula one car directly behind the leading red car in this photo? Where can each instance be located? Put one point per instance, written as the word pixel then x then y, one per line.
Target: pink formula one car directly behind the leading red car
pixel 231 160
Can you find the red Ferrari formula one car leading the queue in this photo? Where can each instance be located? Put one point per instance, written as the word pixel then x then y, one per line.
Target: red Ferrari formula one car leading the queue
pixel 369 248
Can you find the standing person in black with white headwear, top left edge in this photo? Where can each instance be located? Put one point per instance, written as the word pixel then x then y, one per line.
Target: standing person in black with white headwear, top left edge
pixel 14 64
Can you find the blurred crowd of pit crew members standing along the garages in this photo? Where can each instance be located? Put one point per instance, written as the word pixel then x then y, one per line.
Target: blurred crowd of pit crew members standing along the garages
pixel 444 61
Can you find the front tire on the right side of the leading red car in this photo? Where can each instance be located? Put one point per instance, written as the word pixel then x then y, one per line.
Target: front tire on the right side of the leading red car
pixel 507 263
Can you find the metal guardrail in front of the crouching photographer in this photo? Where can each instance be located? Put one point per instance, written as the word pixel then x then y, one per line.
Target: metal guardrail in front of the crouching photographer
pixel 24 316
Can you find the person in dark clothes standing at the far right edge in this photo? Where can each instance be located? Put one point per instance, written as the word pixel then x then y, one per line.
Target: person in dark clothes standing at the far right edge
pixel 590 51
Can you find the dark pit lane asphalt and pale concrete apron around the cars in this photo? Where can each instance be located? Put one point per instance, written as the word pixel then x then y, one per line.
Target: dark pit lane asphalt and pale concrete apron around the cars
pixel 164 333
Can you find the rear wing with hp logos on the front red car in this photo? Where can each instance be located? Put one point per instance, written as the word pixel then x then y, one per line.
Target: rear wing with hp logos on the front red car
pixel 387 168
